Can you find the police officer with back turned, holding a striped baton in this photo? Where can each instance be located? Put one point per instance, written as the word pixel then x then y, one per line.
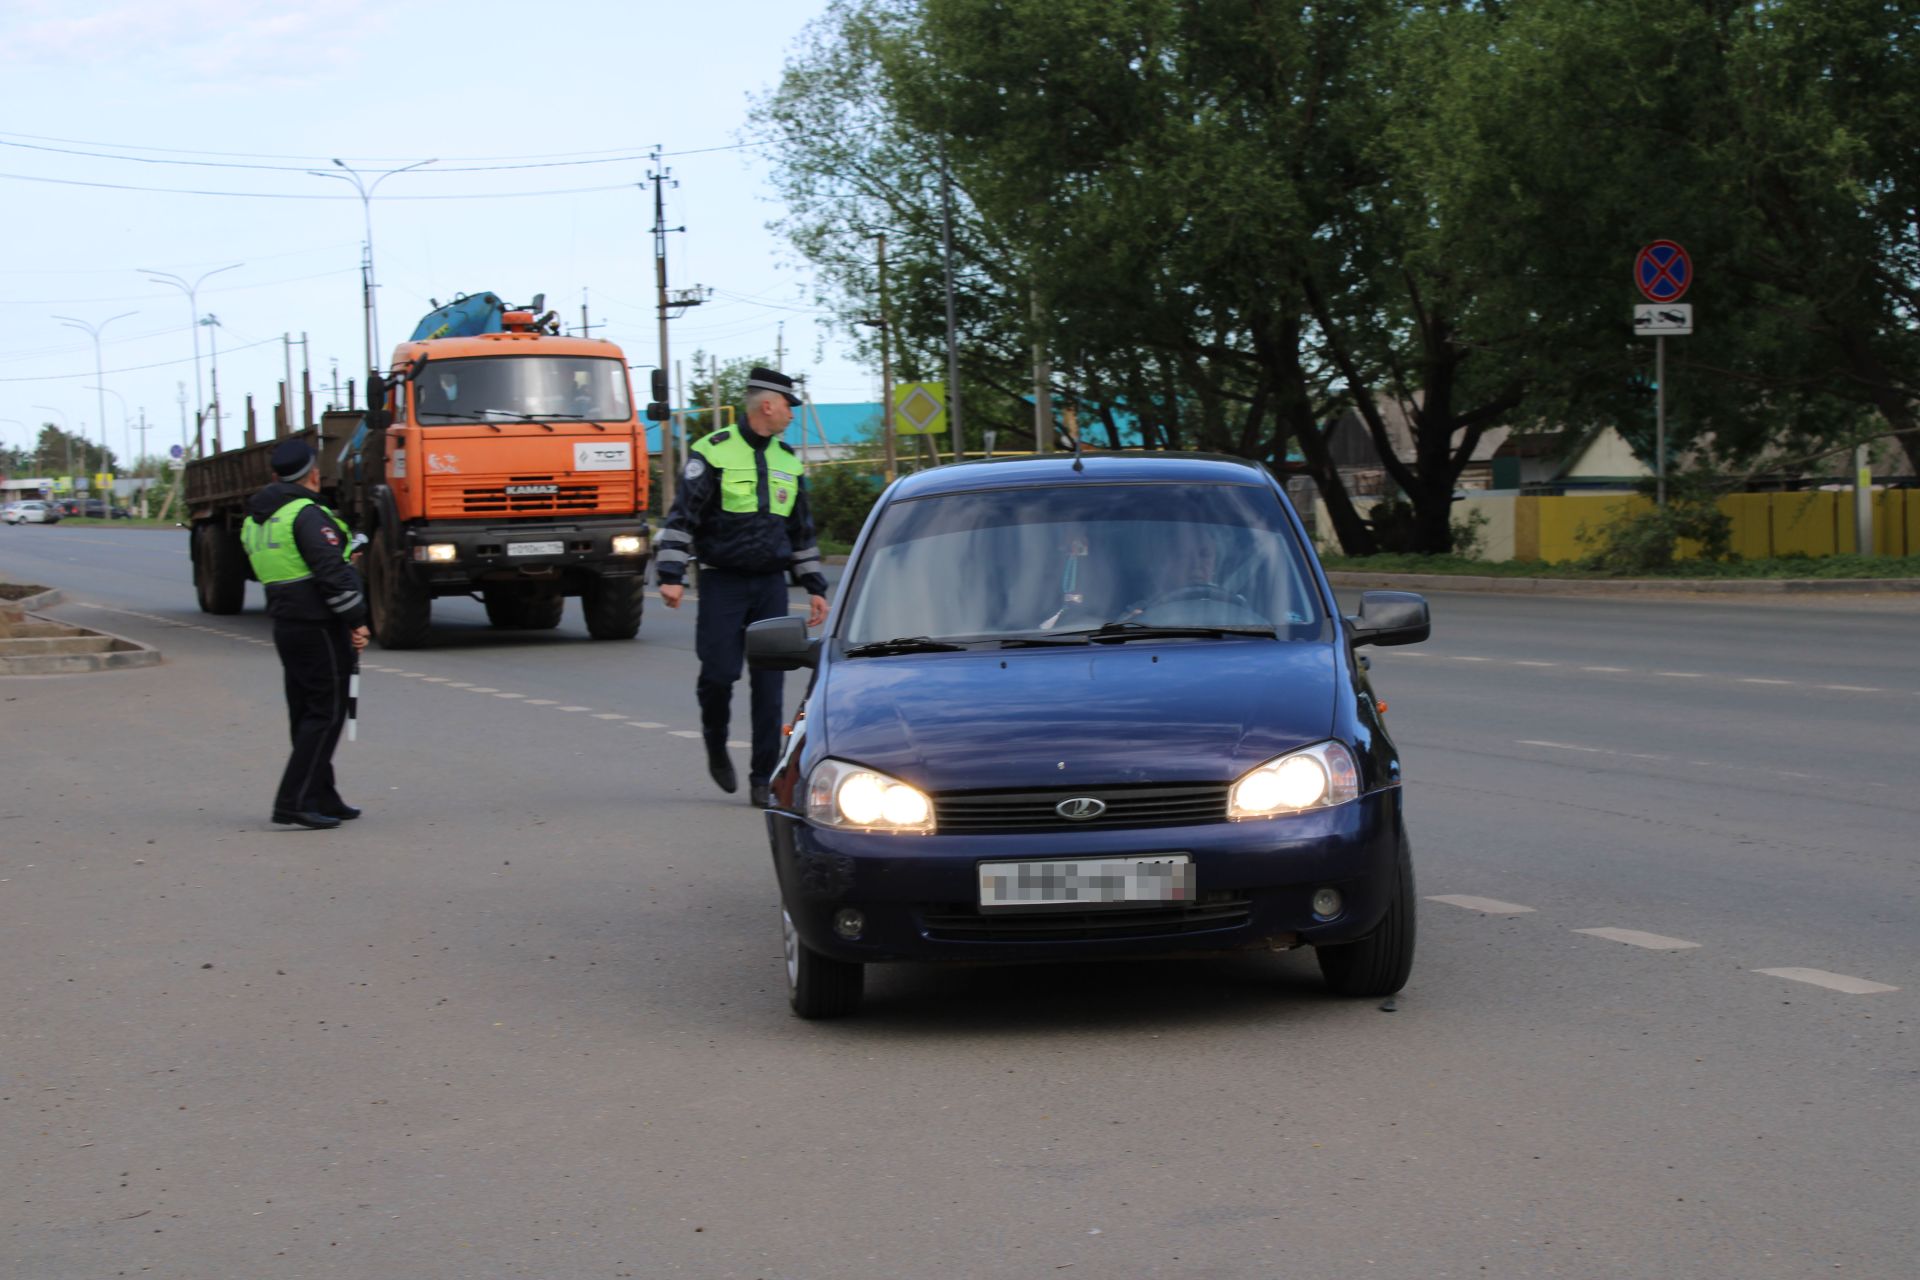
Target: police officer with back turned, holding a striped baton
pixel 300 554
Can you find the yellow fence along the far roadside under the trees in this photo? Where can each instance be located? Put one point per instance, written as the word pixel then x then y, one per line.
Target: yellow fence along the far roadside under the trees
pixel 1765 525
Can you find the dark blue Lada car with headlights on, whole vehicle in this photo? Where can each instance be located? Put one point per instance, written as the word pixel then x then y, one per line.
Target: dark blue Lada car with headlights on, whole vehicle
pixel 1090 709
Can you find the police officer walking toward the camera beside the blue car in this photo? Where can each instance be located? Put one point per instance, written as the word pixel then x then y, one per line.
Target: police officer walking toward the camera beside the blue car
pixel 742 510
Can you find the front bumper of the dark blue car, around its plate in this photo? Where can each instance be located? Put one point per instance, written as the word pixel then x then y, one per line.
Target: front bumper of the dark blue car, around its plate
pixel 1255 888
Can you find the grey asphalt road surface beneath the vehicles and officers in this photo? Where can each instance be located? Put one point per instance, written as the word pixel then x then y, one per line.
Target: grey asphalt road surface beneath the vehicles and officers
pixel 527 1018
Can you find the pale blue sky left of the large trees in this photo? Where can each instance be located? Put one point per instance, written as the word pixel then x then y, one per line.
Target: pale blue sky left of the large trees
pixel 239 85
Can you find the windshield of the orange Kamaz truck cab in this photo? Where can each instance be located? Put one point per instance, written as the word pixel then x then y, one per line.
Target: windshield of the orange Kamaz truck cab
pixel 521 387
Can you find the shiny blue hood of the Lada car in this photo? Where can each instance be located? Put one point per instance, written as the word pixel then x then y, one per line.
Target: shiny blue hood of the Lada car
pixel 1141 713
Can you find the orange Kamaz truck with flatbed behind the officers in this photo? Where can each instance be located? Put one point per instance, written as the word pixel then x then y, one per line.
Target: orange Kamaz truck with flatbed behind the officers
pixel 496 460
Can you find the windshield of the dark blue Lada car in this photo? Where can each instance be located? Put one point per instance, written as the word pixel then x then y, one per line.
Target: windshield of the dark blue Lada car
pixel 1061 565
